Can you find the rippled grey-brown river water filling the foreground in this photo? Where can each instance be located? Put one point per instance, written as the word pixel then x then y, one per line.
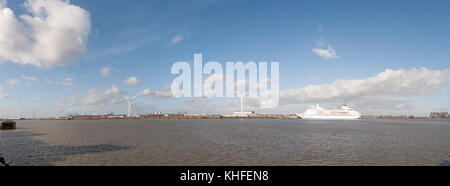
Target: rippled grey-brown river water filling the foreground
pixel 227 142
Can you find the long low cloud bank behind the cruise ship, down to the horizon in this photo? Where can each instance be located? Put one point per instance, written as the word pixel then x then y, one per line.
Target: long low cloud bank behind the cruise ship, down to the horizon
pixel 389 92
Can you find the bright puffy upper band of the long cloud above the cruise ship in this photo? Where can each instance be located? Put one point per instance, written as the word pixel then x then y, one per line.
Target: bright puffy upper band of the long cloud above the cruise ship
pixel 402 82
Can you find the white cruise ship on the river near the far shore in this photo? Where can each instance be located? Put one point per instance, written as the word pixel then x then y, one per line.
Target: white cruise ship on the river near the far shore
pixel 343 113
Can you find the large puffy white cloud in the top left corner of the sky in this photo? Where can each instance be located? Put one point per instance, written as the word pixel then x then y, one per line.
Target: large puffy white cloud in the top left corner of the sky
pixel 54 33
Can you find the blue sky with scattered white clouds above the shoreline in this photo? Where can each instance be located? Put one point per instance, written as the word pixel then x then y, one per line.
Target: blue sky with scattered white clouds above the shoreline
pixel 380 57
